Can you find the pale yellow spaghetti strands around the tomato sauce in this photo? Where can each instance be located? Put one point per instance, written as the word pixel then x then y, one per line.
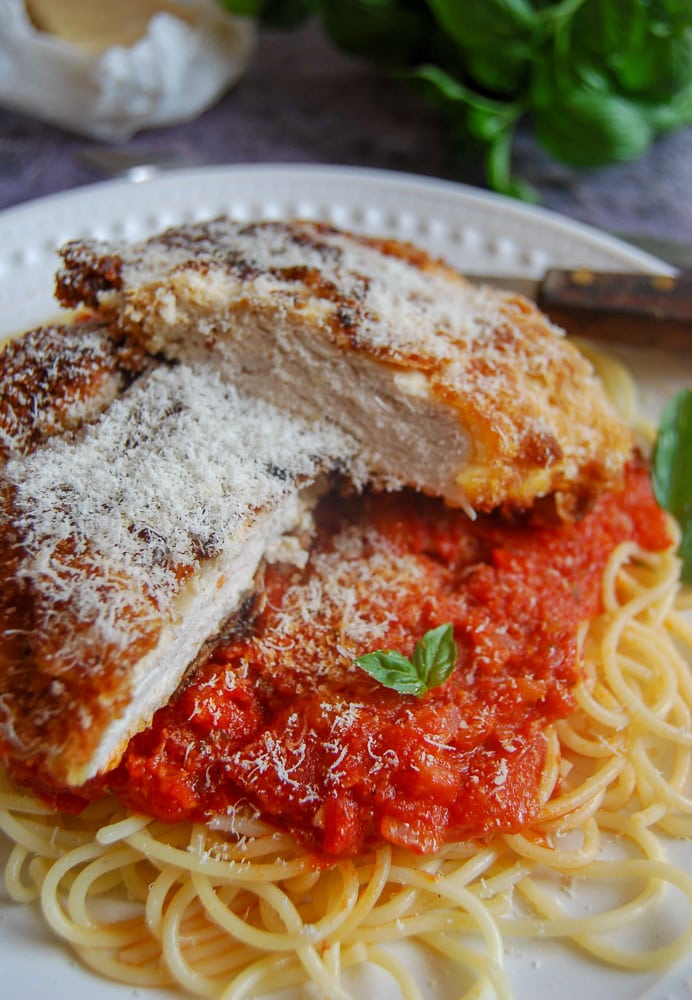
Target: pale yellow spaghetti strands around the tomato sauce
pixel 236 909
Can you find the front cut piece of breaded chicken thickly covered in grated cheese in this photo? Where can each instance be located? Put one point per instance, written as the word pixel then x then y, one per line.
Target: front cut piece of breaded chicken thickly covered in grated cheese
pixel 134 540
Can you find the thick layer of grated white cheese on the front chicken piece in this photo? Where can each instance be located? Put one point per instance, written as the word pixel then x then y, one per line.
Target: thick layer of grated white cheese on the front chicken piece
pixel 112 523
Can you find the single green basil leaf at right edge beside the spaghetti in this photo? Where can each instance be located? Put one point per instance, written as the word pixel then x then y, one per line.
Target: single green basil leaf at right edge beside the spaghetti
pixel 672 470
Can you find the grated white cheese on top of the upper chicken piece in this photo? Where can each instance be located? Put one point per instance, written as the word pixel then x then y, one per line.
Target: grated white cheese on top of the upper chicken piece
pixel 396 304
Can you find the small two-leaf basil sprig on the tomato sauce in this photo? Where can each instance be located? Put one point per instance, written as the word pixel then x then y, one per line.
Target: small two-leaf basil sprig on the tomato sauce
pixel 431 664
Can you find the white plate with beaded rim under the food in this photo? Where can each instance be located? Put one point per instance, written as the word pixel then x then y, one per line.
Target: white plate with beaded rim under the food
pixel 474 231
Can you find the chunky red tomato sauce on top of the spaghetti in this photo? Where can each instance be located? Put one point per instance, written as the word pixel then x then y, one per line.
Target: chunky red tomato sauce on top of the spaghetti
pixel 282 719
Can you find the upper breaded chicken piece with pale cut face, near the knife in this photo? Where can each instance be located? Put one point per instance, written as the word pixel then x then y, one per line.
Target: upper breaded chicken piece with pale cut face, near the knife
pixel 458 391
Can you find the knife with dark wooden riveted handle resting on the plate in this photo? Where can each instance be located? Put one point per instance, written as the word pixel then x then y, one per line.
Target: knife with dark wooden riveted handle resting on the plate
pixel 650 310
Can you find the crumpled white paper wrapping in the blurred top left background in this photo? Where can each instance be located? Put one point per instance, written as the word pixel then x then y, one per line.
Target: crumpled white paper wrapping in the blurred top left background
pixel 170 74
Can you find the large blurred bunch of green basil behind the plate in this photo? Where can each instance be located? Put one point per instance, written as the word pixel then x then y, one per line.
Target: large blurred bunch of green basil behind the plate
pixel 596 80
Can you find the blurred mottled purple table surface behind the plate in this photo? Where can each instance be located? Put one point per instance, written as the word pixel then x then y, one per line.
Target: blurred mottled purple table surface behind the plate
pixel 303 102
